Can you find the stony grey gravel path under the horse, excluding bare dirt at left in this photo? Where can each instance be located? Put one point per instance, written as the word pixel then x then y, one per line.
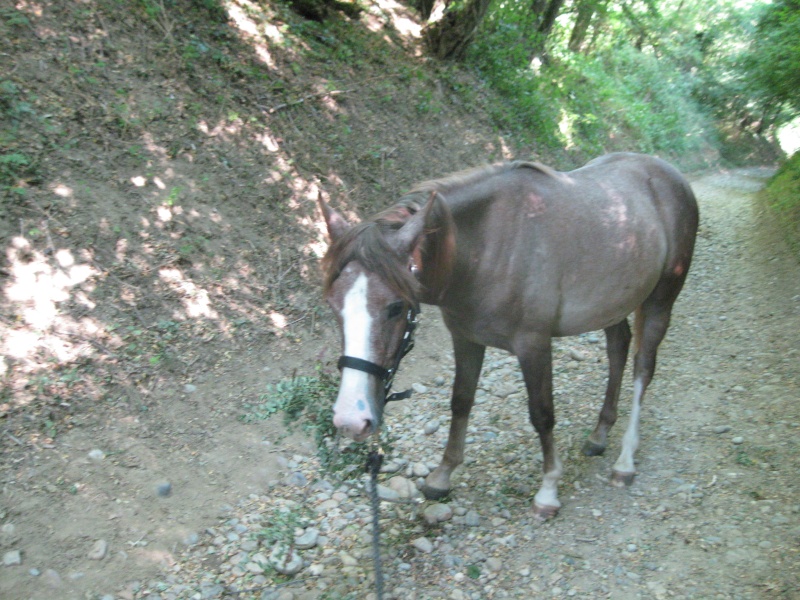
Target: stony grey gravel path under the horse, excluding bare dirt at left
pixel 714 511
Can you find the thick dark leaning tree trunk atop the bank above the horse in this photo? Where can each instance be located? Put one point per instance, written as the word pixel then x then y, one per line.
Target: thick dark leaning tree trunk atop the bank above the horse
pixel 450 37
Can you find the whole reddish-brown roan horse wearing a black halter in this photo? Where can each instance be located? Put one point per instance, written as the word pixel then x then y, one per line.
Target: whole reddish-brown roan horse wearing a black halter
pixel 513 254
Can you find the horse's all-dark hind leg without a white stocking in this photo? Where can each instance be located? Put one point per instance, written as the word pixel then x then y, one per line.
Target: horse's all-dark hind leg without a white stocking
pixel 618 340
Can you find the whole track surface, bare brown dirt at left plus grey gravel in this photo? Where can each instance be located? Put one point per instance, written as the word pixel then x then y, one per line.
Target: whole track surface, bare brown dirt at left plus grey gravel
pixel 714 511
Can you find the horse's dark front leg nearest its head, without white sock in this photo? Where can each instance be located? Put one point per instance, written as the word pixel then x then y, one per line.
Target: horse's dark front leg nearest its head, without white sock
pixel 469 359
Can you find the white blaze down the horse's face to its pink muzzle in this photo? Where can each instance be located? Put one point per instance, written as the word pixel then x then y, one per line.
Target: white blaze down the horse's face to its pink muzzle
pixel 352 413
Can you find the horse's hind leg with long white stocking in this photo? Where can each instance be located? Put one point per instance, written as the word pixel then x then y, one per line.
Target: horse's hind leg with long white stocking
pixel 652 321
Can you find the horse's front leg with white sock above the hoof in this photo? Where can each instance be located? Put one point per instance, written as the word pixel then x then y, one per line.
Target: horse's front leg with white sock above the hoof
pixel 535 359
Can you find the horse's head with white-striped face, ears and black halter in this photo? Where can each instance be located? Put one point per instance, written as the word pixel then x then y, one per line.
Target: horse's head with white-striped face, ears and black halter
pixel 372 284
